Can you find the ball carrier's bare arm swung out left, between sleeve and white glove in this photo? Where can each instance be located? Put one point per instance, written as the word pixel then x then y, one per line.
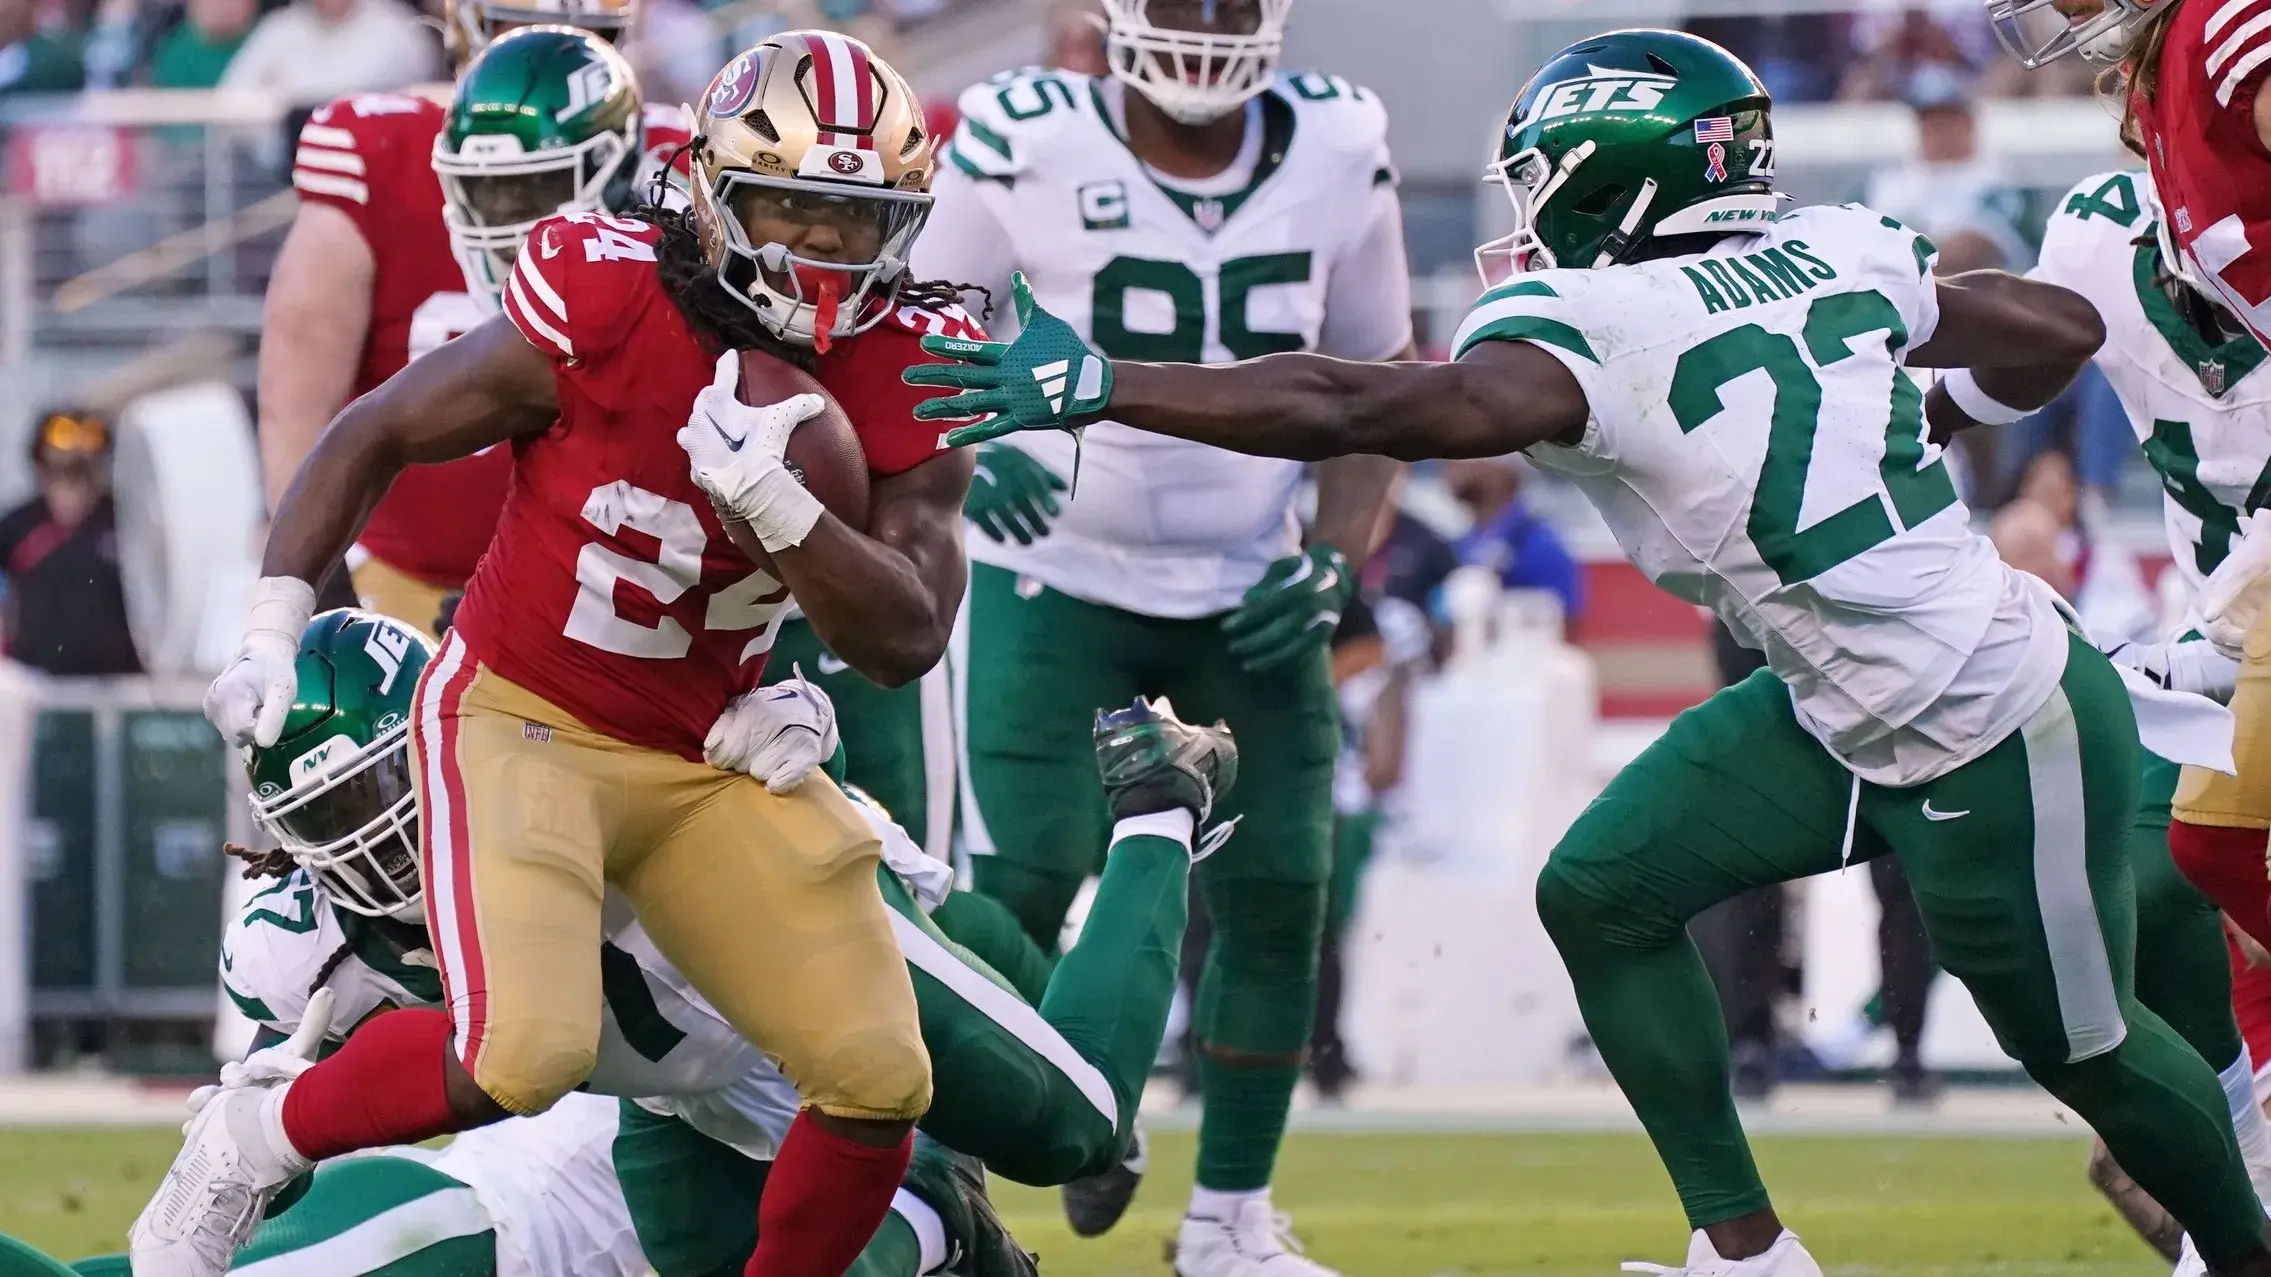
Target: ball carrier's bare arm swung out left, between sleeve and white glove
pixel 476 392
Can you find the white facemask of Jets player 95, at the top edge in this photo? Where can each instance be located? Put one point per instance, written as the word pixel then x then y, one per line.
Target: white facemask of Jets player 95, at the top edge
pixel 1196 76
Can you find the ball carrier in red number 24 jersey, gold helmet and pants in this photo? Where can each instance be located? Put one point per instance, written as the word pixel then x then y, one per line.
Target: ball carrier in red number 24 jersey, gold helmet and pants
pixel 560 733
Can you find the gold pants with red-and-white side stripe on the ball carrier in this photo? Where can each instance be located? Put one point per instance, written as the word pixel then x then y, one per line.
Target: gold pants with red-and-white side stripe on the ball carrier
pixel 766 903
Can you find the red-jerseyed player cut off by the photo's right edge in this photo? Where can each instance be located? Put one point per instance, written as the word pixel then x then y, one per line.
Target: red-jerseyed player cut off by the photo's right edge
pixel 2193 76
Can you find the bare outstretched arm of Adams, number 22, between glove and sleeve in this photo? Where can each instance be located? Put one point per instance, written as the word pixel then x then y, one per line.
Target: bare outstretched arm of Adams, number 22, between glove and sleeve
pixel 1500 399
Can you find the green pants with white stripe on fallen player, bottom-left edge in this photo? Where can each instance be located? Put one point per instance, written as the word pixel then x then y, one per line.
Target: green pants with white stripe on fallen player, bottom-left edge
pixel 364 1217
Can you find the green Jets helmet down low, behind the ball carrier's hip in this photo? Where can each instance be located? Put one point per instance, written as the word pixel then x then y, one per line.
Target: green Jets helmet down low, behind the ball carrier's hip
pixel 335 790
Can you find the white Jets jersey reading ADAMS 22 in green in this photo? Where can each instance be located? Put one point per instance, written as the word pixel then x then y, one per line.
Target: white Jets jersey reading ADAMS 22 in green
pixel 1759 451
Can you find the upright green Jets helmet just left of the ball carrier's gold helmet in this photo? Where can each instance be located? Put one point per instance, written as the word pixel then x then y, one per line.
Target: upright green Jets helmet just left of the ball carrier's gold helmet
pixel 546 122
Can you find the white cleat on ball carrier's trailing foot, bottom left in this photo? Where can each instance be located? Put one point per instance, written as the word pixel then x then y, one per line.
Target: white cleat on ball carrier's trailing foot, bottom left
pixel 233 1162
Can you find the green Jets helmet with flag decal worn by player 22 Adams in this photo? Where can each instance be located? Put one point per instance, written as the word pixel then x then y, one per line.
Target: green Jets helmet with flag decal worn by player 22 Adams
pixel 1627 137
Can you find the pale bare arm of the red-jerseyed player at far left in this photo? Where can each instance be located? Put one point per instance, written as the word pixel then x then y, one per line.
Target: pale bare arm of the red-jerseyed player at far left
pixel 312 337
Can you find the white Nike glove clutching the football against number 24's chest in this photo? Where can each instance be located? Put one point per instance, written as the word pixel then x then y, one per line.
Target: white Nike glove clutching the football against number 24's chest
pixel 737 458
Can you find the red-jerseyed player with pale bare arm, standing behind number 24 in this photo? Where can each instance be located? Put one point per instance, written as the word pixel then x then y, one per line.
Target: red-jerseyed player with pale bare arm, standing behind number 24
pixel 385 265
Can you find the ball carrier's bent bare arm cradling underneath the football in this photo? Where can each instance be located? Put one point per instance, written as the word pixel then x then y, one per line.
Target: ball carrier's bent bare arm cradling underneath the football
pixel 885 601
